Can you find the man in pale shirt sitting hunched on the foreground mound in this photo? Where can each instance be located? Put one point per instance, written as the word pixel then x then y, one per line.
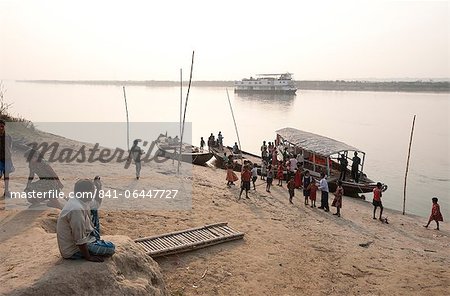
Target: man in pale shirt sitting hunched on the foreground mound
pixel 76 234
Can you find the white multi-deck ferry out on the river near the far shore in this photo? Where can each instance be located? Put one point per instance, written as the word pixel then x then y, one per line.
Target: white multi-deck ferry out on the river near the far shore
pixel 267 83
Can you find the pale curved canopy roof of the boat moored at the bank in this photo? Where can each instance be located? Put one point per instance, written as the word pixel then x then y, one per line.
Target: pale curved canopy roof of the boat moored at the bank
pixel 311 142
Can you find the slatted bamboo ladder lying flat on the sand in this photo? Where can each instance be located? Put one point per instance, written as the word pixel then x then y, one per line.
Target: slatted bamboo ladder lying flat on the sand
pixel 188 240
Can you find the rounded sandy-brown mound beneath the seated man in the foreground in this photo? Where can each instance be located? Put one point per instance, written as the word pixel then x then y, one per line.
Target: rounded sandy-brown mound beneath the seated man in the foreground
pixel 128 272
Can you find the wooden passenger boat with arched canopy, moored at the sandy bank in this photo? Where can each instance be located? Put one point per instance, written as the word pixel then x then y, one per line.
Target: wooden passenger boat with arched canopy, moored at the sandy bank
pixel 321 154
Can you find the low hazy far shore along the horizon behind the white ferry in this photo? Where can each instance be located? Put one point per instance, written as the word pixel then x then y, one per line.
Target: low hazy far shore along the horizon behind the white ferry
pixel 428 85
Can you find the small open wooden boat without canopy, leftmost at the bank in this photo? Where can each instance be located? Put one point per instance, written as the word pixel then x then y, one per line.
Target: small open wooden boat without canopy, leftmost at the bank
pixel 191 154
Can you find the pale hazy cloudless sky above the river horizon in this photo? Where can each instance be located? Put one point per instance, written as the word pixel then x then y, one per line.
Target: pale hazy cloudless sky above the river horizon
pixel 152 40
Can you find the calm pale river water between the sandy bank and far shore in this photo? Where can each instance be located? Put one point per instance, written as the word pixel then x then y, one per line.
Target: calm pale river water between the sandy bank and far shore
pixel 378 123
